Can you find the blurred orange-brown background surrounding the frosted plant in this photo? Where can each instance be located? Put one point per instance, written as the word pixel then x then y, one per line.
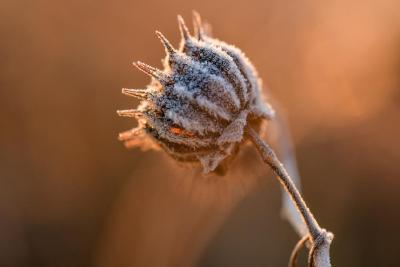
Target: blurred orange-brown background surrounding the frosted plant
pixel 72 195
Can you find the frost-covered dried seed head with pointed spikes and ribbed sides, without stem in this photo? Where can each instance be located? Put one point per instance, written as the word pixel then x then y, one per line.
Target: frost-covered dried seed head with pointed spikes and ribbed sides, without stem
pixel 197 107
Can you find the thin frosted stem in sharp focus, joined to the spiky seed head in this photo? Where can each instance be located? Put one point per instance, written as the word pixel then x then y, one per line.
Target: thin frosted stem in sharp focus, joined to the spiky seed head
pixel 321 239
